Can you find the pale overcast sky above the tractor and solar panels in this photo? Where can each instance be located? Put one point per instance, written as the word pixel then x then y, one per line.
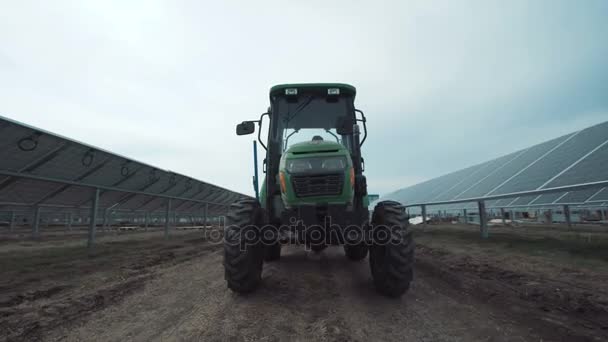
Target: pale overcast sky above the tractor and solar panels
pixel 444 84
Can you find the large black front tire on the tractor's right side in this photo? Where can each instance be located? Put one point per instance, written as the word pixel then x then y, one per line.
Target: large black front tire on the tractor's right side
pixel 392 262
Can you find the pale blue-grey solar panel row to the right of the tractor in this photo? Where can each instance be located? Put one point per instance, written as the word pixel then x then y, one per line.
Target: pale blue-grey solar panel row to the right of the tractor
pixel 576 158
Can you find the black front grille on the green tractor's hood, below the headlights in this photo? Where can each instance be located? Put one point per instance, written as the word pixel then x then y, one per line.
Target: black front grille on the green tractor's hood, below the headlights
pixel 318 185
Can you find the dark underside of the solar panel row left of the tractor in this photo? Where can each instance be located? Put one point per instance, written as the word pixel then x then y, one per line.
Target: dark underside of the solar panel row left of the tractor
pixel 39 168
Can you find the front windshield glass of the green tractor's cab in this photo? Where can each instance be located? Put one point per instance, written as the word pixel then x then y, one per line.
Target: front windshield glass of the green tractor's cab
pixel 310 115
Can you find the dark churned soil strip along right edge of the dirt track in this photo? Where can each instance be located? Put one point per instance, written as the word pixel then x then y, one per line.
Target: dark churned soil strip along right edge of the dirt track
pixel 562 312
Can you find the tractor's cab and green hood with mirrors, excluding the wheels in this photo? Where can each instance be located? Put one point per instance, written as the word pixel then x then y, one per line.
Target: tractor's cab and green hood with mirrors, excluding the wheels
pixel 306 122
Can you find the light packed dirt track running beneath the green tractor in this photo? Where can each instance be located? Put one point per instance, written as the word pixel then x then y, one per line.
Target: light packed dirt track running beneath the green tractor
pixel 303 297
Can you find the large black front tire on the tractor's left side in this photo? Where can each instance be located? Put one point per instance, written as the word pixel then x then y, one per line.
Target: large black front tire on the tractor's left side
pixel 243 260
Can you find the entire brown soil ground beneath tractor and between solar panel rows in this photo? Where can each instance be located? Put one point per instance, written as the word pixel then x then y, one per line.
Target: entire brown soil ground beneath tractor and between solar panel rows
pixel 143 288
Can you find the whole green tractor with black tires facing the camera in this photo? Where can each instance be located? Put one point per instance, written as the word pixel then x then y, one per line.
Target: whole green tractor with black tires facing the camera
pixel 314 192
